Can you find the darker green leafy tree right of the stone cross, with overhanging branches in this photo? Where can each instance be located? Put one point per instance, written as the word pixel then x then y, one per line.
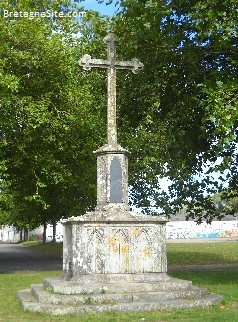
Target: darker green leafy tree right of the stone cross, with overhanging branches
pixel 179 118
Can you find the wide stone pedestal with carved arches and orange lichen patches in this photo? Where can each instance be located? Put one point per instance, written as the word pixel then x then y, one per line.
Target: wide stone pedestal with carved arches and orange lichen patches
pixel 114 242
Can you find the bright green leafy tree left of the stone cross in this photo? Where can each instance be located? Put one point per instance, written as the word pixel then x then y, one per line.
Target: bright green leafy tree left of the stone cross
pixel 49 120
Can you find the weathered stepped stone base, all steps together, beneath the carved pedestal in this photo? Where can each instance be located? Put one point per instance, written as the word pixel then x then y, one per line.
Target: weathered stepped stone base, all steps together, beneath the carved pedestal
pixel 115 293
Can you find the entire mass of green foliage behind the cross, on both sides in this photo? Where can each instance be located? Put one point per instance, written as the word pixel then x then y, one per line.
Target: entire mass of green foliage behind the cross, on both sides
pixel 178 117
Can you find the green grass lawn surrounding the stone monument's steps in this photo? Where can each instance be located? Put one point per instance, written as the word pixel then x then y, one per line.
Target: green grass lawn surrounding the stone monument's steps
pixel 218 280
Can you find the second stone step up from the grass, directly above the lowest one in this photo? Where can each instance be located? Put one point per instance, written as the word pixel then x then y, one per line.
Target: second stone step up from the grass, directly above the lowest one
pixel 42 296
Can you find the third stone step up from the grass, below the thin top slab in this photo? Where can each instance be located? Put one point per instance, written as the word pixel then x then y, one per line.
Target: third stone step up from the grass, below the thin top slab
pixel 58 286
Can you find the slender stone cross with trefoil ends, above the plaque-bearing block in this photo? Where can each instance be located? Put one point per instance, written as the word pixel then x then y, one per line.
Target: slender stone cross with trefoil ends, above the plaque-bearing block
pixel 112 65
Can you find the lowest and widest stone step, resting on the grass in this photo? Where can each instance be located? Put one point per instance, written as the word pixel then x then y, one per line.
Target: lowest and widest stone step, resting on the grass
pixel 29 302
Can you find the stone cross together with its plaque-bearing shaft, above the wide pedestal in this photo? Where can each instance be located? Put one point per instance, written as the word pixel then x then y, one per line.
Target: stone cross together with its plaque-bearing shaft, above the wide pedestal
pixel 112 173
